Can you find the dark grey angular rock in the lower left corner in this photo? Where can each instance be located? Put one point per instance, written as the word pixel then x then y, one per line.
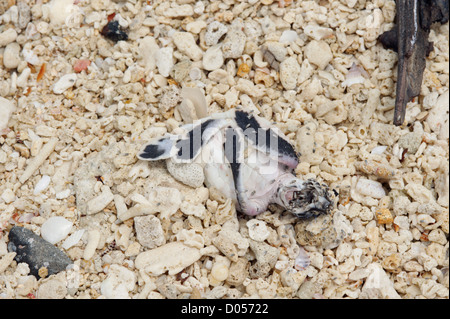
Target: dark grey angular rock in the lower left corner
pixel 36 252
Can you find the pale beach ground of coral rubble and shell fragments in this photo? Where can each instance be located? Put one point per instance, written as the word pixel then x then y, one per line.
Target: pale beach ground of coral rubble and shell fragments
pixel 75 108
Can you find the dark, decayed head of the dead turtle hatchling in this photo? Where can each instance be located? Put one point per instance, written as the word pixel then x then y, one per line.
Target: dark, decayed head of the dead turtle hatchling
pixel 305 199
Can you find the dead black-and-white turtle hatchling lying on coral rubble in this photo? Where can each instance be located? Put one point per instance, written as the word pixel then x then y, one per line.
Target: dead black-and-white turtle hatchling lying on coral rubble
pixel 244 157
